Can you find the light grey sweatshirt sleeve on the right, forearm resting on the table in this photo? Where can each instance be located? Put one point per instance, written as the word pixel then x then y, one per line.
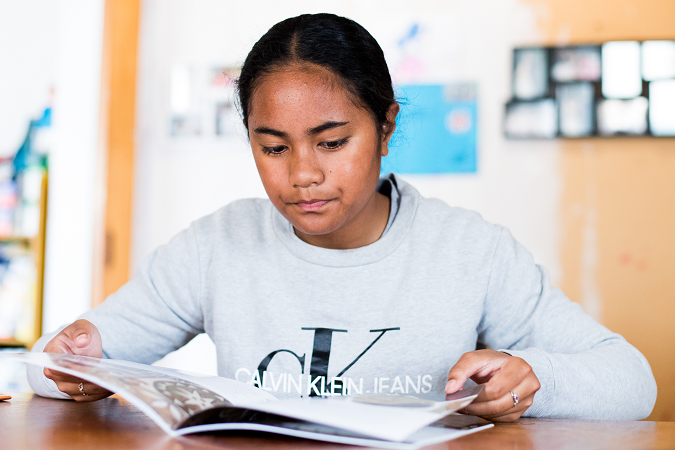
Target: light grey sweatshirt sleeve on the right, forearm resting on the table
pixel 585 370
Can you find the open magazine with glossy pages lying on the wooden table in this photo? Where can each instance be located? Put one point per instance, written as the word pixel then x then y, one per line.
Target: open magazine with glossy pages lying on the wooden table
pixel 182 403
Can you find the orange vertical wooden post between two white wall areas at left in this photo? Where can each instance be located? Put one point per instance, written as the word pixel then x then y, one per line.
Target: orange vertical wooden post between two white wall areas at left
pixel 118 98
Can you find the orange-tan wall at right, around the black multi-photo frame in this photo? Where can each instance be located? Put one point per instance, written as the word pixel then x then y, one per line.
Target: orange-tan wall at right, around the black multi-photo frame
pixel 619 198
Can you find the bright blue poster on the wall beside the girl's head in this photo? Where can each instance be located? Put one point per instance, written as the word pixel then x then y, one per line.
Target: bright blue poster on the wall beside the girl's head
pixel 435 130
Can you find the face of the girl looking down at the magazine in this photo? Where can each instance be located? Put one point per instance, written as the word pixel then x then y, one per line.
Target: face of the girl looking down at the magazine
pixel 318 154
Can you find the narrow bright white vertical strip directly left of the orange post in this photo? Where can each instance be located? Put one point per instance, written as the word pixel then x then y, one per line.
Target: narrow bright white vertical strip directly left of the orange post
pixel 73 162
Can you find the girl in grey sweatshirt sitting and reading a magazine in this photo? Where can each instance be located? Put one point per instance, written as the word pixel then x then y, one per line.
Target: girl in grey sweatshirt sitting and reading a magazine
pixel 345 283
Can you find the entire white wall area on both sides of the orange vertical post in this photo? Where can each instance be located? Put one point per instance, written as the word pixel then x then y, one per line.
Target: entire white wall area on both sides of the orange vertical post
pixel 58 42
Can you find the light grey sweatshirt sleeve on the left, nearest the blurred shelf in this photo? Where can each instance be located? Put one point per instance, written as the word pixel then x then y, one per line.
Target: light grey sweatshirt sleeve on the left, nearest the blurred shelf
pixel 155 313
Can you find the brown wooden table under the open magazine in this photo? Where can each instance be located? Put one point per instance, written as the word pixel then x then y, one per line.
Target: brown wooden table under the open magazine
pixel 32 422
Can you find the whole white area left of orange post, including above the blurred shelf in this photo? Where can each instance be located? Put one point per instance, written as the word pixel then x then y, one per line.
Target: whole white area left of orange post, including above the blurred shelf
pixel 44 44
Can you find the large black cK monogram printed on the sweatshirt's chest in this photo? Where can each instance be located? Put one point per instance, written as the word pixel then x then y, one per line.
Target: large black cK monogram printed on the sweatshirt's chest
pixel 318 369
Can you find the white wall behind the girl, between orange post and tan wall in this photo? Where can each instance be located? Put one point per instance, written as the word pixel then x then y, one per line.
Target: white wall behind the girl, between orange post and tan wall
pixel 517 183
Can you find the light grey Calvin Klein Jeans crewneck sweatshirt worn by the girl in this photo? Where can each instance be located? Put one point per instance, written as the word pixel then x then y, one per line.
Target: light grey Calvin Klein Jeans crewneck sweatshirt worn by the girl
pixel 391 317
